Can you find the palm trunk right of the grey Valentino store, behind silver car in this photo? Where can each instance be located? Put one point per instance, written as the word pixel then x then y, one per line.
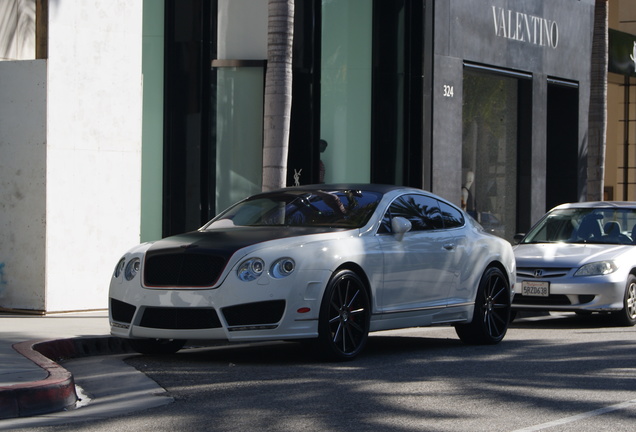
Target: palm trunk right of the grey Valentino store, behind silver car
pixel 597 120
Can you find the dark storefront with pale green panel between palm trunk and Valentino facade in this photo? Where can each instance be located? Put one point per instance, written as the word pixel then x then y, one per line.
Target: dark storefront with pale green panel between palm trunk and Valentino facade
pixel 359 76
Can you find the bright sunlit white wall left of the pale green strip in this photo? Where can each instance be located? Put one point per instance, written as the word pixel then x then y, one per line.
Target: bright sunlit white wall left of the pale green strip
pixel 94 147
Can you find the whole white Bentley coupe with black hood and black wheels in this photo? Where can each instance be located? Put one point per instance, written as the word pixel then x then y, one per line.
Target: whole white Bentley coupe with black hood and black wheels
pixel 327 263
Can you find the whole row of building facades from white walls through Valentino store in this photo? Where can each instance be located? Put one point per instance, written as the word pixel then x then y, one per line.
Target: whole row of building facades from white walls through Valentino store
pixel 144 120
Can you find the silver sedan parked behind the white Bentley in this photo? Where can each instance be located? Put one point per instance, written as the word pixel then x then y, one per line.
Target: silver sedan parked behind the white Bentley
pixel 580 257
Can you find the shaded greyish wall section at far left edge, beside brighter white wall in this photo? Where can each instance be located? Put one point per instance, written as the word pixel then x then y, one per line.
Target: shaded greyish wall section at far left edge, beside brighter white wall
pixel 22 183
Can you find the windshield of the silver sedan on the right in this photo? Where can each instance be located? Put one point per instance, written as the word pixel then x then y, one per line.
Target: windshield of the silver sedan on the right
pixel 589 225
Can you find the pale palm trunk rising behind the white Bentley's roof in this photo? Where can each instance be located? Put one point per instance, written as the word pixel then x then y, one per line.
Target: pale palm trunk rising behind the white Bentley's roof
pixel 278 93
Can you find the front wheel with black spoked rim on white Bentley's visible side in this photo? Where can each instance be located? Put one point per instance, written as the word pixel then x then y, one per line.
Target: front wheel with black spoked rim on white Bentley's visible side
pixel 344 319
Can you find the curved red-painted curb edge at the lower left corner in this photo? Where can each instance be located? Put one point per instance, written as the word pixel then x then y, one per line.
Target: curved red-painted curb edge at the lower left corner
pixel 57 391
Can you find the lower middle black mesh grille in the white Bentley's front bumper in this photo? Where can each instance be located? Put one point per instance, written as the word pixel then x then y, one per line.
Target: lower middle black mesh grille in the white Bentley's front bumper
pixel 180 318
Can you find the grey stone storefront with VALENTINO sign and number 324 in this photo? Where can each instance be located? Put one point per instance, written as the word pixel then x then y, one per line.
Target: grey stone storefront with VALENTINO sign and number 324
pixel 523 71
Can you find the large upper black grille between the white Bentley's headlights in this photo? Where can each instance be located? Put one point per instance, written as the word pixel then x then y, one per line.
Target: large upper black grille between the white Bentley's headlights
pixel 182 269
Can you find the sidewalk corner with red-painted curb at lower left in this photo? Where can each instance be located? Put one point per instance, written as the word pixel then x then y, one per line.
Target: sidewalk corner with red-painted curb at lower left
pixel 31 382
